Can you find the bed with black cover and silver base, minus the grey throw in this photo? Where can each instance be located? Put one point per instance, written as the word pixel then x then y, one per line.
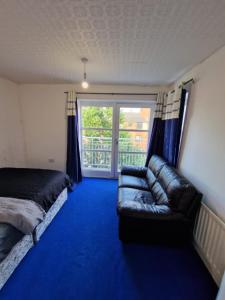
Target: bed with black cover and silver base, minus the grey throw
pixel 48 188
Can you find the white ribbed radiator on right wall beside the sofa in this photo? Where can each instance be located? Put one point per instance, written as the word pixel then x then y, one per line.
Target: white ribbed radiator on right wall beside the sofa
pixel 209 240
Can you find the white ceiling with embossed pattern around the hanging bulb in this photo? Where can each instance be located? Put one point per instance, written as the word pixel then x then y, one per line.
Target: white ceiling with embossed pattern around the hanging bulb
pixel 126 41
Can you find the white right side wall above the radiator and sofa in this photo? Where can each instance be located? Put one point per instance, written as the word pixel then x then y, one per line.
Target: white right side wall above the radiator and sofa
pixel 202 157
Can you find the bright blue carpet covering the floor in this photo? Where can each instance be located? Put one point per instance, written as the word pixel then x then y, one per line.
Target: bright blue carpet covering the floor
pixel 80 257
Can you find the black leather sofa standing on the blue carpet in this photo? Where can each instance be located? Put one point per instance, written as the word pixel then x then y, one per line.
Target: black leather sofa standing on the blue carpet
pixel 156 203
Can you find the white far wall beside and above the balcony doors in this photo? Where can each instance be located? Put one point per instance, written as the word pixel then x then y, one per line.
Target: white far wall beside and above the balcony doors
pixel 43 109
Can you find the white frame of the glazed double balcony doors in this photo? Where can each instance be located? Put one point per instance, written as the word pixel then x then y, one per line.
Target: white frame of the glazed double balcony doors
pixel 115 104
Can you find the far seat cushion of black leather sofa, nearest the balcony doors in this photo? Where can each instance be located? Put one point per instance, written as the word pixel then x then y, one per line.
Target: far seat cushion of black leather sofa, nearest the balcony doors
pixel 133 182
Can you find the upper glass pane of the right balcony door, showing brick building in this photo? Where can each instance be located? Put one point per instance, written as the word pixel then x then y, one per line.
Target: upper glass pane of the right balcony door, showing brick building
pixel 134 118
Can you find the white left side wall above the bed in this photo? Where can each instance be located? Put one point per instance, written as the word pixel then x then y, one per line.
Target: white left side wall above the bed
pixel 11 132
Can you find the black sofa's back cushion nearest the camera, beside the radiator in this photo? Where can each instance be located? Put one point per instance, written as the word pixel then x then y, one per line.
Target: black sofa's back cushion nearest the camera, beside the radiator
pixel 180 191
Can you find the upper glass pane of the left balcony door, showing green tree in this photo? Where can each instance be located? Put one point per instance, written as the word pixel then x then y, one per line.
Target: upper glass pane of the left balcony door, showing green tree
pixel 96 117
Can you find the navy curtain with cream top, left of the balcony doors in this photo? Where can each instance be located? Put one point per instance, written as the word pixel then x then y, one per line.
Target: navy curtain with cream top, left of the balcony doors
pixel 73 165
